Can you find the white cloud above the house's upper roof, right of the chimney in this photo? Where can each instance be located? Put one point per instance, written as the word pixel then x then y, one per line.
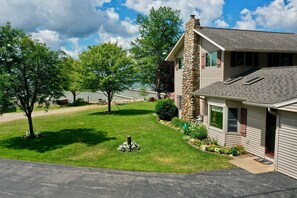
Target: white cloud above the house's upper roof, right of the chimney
pixel 278 15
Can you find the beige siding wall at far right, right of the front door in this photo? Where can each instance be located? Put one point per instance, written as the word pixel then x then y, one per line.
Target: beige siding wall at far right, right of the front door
pixel 287 144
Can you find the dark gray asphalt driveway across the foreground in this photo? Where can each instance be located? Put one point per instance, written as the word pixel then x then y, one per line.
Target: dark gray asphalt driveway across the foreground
pixel 26 179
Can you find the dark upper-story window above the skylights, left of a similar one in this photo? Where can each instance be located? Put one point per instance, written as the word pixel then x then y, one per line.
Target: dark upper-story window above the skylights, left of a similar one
pixel 244 59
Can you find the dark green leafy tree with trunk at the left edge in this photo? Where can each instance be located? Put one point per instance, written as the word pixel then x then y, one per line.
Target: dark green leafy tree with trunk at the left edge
pixel 29 71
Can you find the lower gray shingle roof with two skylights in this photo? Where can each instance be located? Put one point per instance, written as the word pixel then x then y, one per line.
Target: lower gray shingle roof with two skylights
pixel 278 85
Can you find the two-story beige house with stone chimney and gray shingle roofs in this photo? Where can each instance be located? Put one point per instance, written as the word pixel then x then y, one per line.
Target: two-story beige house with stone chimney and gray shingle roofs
pixel 245 86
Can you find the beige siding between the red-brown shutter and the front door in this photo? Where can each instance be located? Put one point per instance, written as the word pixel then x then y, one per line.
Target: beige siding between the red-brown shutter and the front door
pixel 255 134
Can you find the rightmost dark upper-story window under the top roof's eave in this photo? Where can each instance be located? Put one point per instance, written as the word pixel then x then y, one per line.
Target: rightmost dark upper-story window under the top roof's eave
pixel 279 59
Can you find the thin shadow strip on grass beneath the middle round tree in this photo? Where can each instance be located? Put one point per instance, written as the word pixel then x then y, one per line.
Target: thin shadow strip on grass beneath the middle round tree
pixel 125 112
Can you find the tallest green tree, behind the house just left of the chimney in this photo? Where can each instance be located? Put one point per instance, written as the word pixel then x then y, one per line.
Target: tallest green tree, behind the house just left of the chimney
pixel 159 32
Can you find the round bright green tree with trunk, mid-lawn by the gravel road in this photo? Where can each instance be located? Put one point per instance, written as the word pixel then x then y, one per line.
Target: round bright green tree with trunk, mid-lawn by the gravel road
pixel 109 69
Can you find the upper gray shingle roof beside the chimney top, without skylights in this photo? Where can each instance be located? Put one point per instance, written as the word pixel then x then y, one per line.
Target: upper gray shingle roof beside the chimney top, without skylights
pixel 248 40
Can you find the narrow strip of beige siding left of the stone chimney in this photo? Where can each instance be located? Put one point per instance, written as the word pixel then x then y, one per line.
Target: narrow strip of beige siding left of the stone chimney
pixel 178 79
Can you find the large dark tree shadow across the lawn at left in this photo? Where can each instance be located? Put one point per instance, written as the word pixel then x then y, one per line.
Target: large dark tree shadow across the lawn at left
pixel 58 139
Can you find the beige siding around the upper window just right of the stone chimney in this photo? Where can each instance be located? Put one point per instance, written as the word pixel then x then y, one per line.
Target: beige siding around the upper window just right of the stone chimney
pixel 212 74
